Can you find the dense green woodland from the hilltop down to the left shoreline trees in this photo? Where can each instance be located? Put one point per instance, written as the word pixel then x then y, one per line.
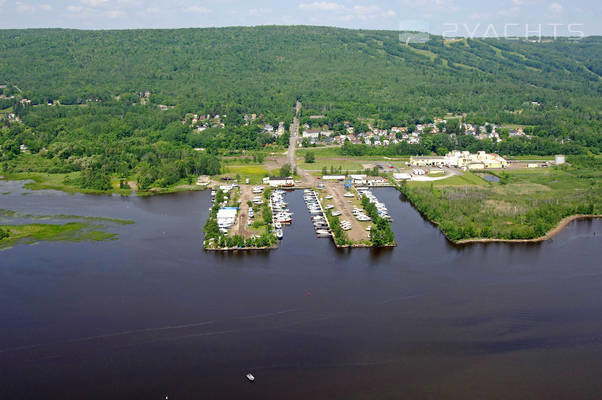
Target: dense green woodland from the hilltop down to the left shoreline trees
pixel 102 125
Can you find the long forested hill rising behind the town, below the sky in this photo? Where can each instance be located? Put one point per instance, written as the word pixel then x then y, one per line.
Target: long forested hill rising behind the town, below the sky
pixel 264 69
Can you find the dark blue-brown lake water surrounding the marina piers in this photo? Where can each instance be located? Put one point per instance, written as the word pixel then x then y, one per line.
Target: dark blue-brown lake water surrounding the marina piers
pixel 152 314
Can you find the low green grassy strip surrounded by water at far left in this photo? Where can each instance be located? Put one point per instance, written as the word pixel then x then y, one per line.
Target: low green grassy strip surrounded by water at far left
pixel 71 231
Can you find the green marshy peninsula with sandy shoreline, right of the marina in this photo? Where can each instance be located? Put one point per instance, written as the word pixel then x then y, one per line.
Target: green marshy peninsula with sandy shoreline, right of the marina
pixel 525 204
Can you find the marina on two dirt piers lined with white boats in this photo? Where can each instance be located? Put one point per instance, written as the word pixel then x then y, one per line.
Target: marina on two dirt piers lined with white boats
pixel 240 204
